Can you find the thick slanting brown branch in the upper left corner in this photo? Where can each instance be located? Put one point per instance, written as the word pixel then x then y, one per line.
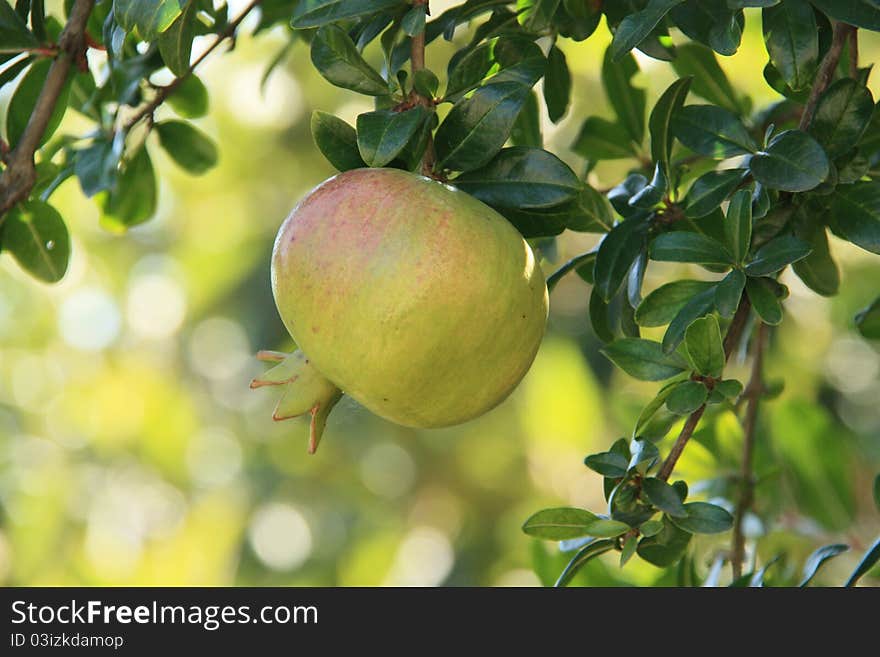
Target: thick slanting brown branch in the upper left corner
pixel 20 175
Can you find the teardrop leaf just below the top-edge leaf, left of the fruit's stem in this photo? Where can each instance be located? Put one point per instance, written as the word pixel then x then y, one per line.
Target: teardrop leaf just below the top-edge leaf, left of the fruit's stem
pixel 336 57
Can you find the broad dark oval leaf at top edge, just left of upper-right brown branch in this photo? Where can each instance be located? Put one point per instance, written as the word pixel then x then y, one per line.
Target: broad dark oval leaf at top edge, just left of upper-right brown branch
pixel 792 40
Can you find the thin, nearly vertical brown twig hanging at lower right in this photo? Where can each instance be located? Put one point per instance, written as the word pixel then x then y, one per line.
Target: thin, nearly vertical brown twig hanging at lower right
pixel 752 395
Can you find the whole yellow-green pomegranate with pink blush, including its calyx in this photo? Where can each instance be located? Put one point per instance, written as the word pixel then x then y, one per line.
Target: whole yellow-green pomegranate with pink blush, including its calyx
pixel 414 298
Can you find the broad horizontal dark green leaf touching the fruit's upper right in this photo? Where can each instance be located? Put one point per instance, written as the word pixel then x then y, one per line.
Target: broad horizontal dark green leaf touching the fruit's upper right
pixel 522 177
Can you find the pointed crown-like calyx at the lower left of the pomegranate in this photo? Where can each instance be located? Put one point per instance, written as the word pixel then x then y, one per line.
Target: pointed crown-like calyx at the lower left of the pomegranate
pixel 305 390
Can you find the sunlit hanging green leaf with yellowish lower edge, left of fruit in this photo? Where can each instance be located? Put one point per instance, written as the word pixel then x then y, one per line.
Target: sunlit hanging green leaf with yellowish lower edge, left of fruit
pixel 133 199
